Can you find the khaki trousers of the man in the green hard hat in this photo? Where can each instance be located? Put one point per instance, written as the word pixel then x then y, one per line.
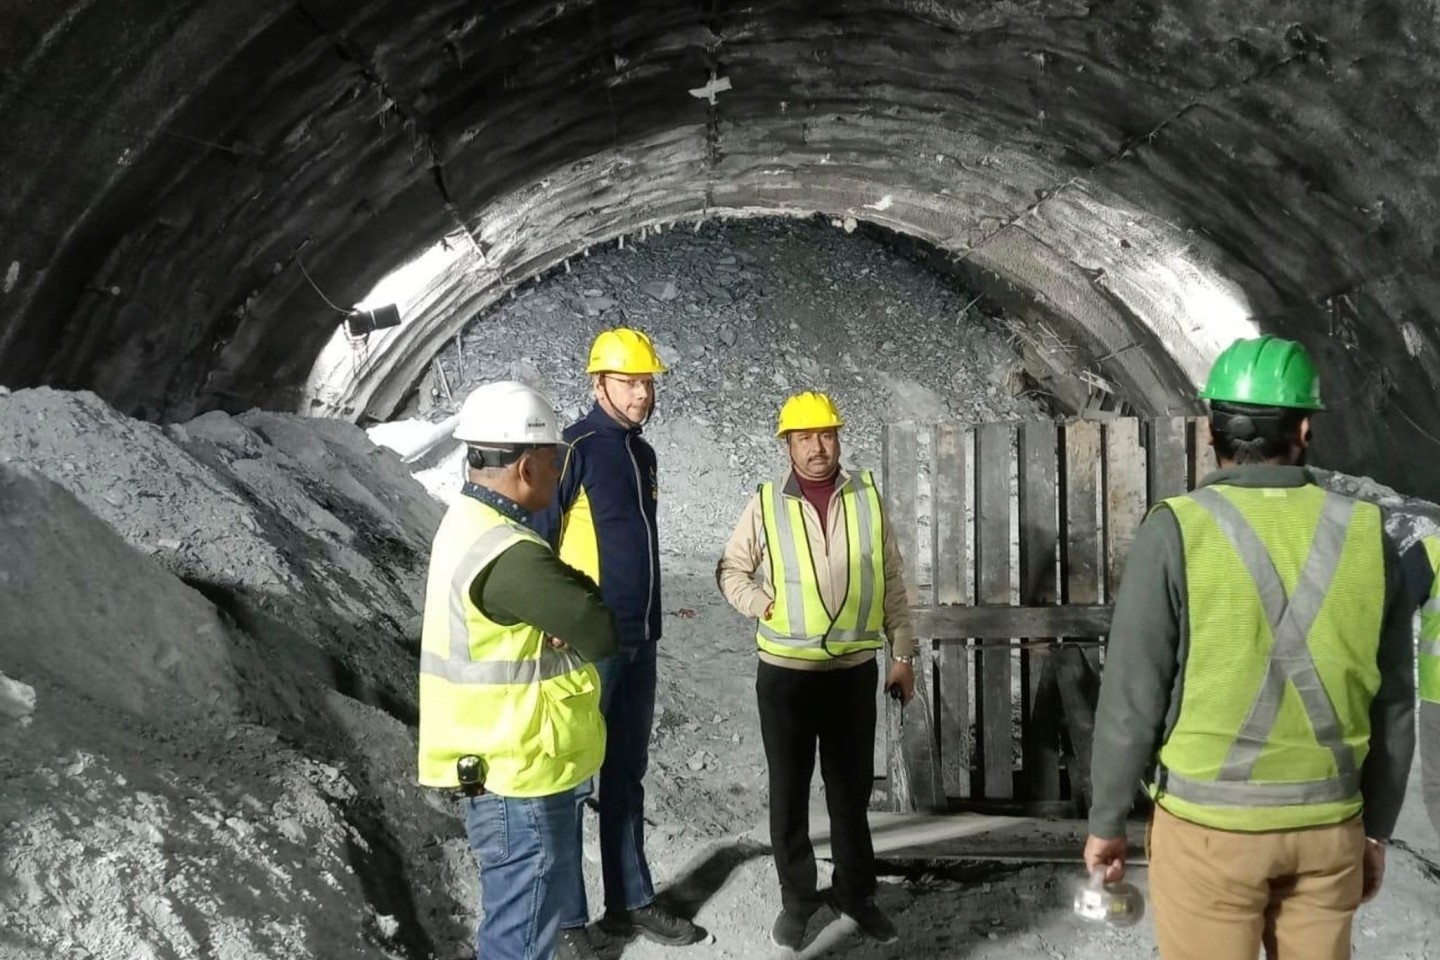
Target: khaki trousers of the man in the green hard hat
pixel 1223 896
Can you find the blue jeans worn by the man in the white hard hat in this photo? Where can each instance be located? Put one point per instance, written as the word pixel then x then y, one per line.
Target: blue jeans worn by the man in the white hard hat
pixel 528 857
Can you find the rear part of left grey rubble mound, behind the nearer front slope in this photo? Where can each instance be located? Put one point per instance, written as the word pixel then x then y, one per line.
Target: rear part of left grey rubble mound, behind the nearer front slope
pixel 290 526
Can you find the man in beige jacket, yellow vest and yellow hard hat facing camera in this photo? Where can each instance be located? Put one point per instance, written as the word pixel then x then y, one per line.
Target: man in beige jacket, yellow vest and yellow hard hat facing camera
pixel 833 591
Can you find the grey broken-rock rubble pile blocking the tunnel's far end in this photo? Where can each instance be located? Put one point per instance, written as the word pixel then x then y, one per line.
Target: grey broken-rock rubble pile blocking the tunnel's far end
pixel 747 313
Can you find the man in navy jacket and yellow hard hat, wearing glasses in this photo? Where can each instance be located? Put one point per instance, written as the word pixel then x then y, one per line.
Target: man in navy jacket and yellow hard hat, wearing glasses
pixel 604 525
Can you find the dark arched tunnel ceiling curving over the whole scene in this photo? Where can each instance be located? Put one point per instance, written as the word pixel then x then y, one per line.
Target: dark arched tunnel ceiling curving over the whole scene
pixel 165 163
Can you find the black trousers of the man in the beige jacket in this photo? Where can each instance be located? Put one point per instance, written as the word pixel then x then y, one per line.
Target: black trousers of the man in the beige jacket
pixel 837 712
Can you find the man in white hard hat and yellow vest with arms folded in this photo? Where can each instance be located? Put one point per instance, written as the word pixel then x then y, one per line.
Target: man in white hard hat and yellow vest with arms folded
pixel 510 700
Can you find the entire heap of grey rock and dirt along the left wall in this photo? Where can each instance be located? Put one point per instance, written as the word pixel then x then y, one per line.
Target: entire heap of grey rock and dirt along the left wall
pixel 210 640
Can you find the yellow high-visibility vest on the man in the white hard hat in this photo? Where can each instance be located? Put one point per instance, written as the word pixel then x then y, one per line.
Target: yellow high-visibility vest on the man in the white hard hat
pixel 500 693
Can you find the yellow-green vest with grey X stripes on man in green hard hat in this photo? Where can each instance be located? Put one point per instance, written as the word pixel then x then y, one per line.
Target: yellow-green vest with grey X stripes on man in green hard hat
pixel 1281 671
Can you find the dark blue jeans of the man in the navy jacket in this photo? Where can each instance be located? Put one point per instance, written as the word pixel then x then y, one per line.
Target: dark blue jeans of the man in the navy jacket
pixel 629 702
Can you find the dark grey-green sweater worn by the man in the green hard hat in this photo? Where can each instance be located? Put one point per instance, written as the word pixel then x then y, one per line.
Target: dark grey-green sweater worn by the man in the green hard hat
pixel 1146 671
